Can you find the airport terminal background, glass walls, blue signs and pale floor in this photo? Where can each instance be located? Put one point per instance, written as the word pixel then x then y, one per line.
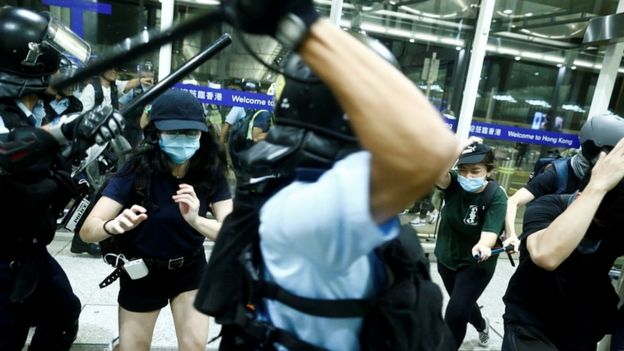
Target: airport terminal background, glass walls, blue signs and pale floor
pixel 544 71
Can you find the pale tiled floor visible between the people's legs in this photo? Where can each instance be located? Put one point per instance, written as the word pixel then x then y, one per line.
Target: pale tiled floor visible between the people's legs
pixel 98 321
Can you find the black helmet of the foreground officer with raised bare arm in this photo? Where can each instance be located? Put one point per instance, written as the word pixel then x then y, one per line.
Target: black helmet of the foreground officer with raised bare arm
pixel 312 105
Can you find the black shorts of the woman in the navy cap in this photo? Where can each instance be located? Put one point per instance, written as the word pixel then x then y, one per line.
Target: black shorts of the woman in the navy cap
pixel 161 285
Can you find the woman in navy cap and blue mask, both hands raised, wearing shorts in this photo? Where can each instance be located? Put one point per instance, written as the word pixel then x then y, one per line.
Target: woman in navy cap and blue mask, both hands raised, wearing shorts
pixel 180 170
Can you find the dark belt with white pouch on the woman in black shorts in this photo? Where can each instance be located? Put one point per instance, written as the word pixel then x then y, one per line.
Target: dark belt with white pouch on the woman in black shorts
pixel 137 268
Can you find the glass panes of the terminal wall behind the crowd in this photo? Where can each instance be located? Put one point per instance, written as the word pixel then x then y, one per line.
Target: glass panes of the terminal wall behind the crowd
pixel 537 74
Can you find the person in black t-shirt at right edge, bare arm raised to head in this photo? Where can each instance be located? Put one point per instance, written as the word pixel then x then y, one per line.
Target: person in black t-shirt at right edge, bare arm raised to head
pixel 561 296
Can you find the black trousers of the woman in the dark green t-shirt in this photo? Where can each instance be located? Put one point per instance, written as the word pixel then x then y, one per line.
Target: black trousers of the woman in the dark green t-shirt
pixel 464 287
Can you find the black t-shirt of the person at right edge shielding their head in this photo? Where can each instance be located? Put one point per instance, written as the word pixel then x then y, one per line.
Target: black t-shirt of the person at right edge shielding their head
pixel 576 303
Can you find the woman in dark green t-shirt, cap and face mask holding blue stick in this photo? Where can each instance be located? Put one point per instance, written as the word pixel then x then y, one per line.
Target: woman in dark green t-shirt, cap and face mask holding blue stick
pixel 464 235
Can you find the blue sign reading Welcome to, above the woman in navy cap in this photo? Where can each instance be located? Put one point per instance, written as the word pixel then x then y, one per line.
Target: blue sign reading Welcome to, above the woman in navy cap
pixel 206 95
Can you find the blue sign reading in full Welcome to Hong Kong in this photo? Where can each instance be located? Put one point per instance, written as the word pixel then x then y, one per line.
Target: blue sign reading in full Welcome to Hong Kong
pixel 520 135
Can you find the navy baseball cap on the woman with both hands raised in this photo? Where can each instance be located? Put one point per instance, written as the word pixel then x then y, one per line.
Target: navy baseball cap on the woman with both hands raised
pixel 177 109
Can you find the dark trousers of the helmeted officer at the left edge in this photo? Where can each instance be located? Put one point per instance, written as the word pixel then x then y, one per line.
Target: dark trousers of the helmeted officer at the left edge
pixel 52 309
